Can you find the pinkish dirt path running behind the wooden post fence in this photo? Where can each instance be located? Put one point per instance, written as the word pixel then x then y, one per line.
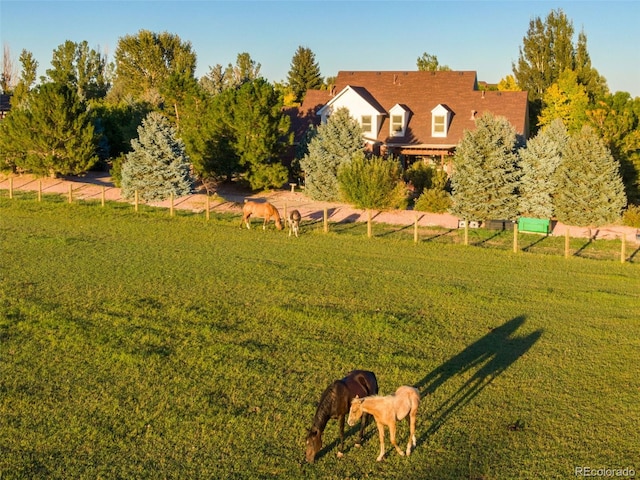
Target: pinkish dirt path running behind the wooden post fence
pixel 94 185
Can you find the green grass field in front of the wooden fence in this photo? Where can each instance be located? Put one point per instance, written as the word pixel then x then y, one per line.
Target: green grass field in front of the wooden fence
pixel 135 345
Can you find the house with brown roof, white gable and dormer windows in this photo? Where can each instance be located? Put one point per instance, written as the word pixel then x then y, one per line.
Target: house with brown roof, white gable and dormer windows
pixel 414 114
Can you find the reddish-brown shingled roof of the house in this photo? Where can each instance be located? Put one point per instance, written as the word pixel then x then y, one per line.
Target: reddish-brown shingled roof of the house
pixel 421 92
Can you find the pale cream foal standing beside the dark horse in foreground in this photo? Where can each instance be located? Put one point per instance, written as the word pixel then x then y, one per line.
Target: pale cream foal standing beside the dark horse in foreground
pixel 386 410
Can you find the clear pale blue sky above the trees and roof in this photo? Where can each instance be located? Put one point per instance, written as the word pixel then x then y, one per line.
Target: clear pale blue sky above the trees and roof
pixel 480 35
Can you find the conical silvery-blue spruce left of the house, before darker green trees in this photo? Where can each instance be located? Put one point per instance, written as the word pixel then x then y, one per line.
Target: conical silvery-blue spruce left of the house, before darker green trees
pixel 158 164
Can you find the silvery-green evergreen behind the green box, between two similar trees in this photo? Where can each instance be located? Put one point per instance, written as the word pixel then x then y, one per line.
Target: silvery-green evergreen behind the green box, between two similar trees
pixel 538 163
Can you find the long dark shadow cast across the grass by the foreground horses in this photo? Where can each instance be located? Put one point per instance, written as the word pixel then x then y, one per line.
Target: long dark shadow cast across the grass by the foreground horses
pixel 490 356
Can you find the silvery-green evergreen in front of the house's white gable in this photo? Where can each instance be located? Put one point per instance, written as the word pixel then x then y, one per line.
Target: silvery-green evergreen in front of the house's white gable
pixel 334 143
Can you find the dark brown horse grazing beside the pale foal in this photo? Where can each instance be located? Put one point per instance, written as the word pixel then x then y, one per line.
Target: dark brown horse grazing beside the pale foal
pixel 334 403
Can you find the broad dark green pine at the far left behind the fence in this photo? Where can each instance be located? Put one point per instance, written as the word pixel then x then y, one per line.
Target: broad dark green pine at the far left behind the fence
pixel 51 133
